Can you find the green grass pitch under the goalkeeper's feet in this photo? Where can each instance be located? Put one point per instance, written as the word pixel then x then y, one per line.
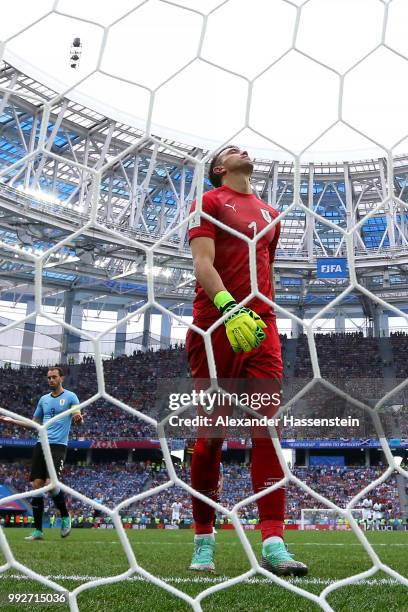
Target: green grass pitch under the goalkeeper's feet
pixel 88 554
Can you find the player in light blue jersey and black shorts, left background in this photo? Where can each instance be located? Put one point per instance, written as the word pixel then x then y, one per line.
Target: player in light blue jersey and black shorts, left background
pixel 56 402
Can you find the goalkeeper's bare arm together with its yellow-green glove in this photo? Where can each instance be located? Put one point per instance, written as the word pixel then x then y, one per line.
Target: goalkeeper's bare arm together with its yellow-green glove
pixel 244 327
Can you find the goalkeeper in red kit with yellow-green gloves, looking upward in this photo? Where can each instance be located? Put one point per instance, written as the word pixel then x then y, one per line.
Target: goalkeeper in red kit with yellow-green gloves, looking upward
pixel 246 347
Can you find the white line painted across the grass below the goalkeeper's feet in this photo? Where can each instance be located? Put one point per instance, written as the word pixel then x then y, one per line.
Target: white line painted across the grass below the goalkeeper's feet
pixel 372 582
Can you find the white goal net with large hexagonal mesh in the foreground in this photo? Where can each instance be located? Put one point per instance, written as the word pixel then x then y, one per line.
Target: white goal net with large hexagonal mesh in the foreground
pixel 249 96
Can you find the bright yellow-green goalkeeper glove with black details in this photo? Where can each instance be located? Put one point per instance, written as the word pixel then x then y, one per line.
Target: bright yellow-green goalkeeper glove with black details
pixel 244 327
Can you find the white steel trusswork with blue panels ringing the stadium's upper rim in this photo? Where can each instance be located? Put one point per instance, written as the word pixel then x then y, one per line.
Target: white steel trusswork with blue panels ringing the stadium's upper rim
pixel 145 192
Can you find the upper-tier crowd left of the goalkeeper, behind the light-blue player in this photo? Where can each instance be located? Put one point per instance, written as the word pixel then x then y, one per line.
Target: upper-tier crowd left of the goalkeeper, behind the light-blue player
pixel 133 380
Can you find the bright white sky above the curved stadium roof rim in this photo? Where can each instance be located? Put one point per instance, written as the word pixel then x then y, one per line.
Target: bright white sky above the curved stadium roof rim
pixel 282 70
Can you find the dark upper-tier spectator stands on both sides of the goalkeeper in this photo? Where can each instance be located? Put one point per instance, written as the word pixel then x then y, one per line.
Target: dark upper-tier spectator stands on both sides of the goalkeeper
pixel 143 380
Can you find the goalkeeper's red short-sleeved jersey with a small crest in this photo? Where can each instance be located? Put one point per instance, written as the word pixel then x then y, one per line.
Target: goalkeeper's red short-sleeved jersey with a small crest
pixel 248 215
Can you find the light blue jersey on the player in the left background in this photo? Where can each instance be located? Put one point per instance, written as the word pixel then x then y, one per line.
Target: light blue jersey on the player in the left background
pixel 50 406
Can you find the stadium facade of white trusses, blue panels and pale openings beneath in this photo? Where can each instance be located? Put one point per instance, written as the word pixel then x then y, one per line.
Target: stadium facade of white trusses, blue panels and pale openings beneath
pixel 147 193
